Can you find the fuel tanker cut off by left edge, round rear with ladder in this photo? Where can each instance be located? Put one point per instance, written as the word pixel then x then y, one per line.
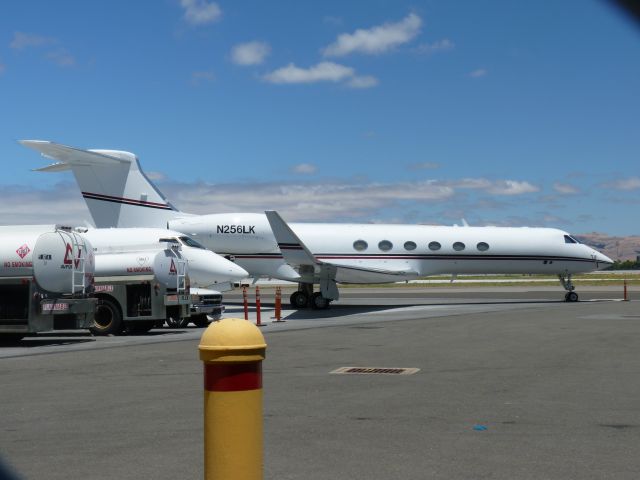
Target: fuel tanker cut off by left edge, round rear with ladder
pixel 46 277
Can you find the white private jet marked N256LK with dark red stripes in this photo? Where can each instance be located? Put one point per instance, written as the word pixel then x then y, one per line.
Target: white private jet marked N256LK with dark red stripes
pixel 119 194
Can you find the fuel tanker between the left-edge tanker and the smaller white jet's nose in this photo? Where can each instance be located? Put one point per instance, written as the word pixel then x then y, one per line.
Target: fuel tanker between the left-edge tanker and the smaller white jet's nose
pixel 140 289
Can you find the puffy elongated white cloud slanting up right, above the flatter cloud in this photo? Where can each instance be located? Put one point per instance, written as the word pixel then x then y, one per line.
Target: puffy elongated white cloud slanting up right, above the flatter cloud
pixel 377 39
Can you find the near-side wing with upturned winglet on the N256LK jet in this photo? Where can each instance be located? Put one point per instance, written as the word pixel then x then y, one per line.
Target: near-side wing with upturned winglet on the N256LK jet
pixel 296 253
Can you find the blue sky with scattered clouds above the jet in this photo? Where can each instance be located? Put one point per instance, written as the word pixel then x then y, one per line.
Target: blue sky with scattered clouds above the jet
pixel 504 113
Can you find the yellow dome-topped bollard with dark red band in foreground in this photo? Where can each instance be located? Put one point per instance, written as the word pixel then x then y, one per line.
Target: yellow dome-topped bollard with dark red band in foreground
pixel 232 351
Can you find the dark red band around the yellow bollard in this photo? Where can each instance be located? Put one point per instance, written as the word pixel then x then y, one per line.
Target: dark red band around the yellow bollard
pixel 232 377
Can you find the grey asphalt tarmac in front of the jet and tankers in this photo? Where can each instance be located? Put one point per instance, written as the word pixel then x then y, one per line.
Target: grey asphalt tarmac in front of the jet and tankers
pixel 512 384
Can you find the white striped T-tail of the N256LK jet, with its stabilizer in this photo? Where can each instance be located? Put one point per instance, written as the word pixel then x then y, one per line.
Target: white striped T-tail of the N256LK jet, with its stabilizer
pixel 115 188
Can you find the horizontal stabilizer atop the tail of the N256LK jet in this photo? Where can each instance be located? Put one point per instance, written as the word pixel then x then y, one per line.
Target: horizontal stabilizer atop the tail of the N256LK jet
pixel 67 155
